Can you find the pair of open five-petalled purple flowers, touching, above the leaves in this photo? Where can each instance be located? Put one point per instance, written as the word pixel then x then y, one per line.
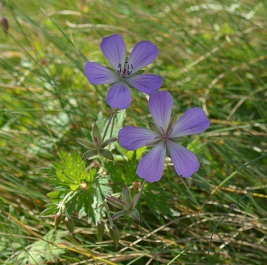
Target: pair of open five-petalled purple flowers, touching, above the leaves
pixel 164 134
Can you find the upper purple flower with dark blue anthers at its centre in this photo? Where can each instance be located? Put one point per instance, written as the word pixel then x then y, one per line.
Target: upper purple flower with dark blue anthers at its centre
pixel 126 70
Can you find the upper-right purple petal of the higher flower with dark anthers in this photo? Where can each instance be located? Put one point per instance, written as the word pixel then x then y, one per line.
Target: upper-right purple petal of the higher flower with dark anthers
pixel 143 54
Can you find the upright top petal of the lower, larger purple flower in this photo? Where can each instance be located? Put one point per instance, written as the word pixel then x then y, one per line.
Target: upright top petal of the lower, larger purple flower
pixel 160 105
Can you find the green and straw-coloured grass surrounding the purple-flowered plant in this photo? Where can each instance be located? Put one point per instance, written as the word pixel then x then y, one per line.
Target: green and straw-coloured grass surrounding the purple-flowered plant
pixel 212 55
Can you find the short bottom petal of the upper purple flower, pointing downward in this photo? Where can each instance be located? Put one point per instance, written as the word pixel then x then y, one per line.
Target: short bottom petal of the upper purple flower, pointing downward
pixel 119 96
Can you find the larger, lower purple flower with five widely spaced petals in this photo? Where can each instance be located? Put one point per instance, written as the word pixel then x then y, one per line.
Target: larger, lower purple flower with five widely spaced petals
pixel 164 137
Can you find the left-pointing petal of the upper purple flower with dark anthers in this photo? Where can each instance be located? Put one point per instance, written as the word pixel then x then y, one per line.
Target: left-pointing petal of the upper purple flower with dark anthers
pixel 98 74
